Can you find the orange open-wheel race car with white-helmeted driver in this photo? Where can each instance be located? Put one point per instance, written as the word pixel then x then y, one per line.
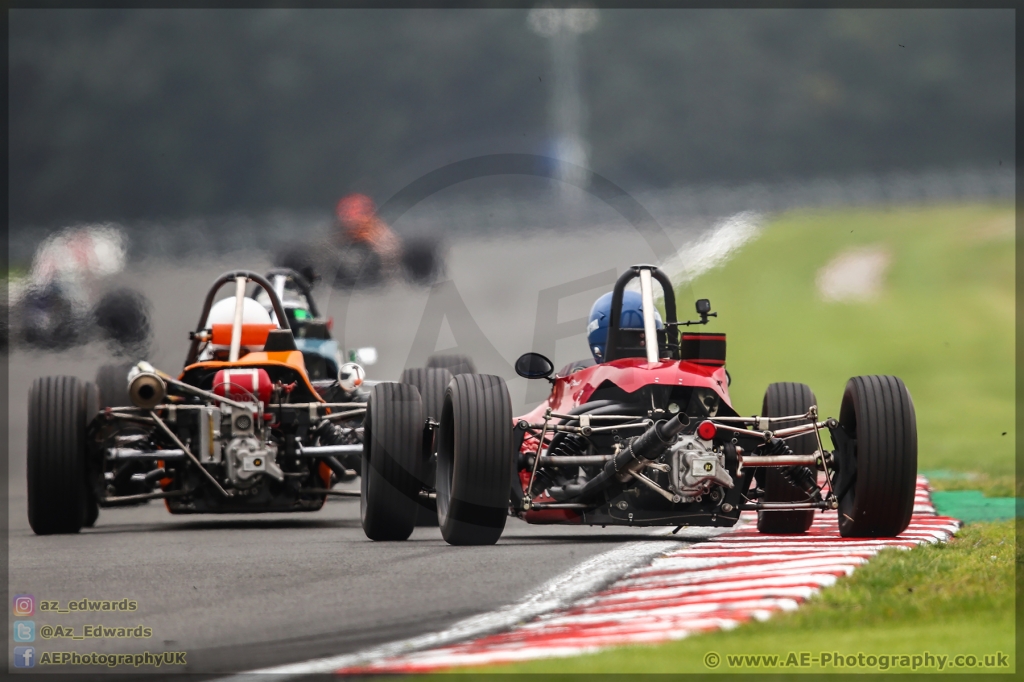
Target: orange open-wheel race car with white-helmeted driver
pixel 245 428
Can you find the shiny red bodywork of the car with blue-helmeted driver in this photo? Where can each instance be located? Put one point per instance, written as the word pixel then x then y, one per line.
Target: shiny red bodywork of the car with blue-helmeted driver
pixel 630 374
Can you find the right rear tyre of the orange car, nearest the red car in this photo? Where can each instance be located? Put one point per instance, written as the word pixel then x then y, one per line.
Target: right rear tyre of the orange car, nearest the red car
pixel 393 461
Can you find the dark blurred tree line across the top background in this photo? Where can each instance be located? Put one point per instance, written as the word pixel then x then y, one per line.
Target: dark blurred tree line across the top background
pixel 149 113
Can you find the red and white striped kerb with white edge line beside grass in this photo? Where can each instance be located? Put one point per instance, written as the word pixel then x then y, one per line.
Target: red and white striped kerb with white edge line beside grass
pixel 645 593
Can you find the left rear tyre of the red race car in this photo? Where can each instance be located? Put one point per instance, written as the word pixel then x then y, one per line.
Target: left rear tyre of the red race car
pixel 475 451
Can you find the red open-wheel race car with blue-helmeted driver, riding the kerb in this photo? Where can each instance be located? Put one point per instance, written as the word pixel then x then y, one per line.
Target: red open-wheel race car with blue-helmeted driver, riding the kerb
pixel 645 436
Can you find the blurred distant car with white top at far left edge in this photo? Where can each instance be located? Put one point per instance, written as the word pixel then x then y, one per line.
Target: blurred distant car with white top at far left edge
pixel 62 303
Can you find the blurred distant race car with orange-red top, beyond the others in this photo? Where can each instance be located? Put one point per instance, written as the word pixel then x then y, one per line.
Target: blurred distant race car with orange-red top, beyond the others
pixel 363 251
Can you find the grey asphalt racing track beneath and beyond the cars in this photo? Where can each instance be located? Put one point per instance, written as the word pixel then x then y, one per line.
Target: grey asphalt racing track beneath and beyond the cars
pixel 244 592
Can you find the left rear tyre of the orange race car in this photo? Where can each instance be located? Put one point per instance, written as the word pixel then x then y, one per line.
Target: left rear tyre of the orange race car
pixel 57 454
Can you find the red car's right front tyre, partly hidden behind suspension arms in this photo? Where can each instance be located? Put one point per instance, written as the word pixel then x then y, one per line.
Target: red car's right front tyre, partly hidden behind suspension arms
pixel 784 400
